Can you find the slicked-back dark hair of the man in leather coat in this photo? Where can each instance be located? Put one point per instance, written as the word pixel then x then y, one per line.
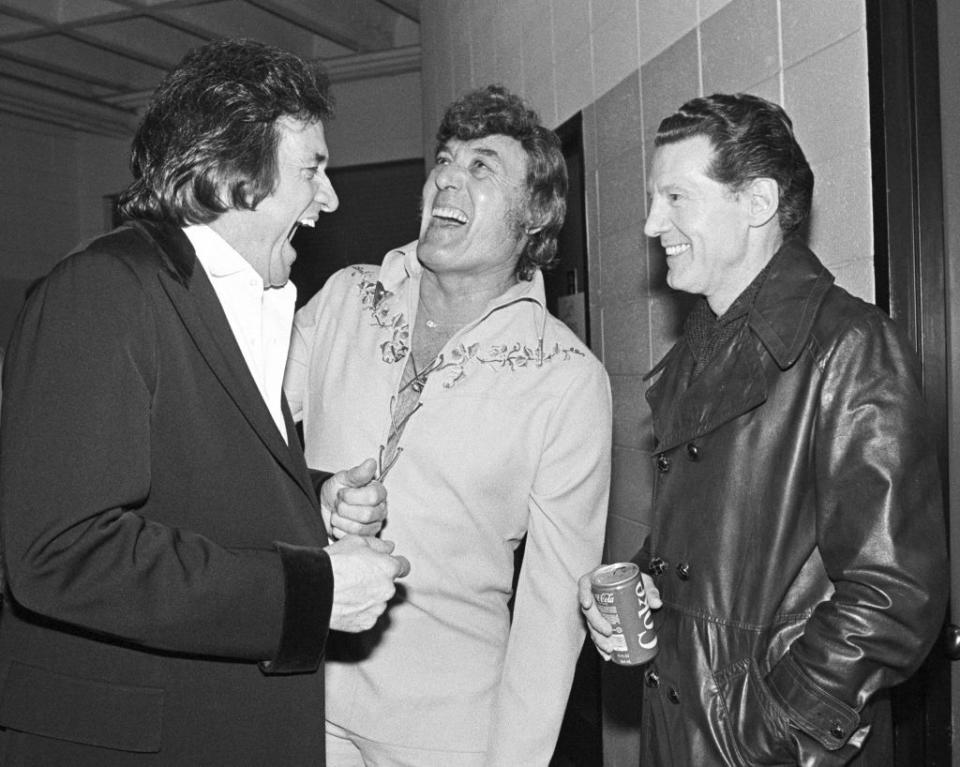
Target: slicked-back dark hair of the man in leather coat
pixel 752 138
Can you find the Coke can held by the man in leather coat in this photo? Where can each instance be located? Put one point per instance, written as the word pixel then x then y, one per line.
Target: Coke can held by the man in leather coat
pixel 618 591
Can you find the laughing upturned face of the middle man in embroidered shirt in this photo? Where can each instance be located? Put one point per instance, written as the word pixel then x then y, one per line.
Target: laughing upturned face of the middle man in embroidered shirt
pixel 473 209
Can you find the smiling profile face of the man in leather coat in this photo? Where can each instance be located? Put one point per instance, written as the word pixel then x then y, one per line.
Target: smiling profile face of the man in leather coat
pixel 701 224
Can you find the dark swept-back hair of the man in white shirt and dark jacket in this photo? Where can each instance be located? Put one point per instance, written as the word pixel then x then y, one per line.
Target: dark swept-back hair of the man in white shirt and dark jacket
pixel 208 140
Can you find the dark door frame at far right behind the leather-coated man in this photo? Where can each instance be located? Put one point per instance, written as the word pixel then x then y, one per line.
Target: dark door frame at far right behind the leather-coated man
pixel 910 276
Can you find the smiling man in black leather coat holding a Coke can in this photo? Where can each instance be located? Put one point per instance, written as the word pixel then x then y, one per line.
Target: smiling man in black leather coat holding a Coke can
pixel 797 555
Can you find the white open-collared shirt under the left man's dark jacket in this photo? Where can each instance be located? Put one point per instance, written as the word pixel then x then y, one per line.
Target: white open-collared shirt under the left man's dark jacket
pixel 259 317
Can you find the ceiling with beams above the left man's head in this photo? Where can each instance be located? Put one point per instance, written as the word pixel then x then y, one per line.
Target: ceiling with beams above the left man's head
pixel 92 64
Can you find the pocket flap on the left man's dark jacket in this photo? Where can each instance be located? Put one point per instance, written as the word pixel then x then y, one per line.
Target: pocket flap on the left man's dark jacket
pixel 93 712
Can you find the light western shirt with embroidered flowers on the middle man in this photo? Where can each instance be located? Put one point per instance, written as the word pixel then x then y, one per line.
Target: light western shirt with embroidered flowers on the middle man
pixel 512 438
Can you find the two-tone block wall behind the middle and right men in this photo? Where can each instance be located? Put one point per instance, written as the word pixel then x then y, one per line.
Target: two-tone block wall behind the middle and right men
pixel 626 64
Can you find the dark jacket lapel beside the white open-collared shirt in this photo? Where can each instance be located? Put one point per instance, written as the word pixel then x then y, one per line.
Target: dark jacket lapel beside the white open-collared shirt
pixel 197 304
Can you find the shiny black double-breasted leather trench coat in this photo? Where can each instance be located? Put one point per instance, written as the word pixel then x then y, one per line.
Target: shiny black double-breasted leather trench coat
pixel 797 537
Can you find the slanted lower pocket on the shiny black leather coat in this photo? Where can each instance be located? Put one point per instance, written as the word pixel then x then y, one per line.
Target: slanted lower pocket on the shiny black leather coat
pixel 748 723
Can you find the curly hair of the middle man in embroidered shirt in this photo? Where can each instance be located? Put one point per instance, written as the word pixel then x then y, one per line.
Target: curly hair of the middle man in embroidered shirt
pixel 493 110
